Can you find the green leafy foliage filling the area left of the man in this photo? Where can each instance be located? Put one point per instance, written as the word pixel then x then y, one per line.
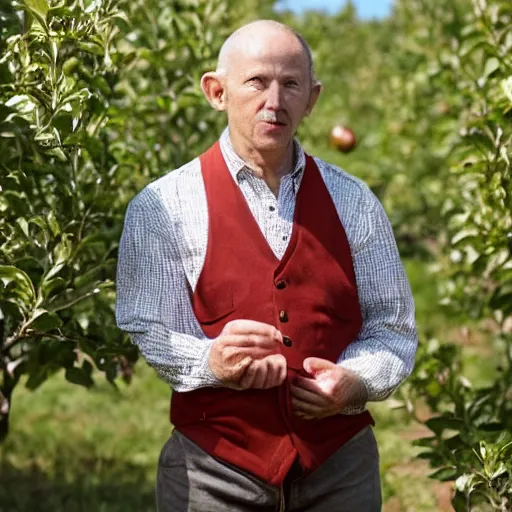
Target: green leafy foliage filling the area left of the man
pixel 96 98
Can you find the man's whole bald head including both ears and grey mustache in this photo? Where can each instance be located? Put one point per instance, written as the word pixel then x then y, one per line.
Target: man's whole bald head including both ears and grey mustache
pixel 265 84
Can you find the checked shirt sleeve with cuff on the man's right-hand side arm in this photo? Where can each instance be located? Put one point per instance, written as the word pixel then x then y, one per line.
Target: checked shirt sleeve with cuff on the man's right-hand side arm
pixel 383 353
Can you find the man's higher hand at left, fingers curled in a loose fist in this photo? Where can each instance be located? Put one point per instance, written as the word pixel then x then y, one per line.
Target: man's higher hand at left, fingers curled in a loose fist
pixel 246 355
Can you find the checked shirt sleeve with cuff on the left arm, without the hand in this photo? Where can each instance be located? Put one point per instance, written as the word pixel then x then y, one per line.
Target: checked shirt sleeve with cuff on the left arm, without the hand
pixel 153 303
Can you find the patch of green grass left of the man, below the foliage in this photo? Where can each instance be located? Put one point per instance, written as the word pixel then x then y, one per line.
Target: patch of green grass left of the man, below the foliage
pixel 76 450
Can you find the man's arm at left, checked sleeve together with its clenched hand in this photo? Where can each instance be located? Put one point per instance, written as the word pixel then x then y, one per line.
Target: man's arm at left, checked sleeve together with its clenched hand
pixel 153 305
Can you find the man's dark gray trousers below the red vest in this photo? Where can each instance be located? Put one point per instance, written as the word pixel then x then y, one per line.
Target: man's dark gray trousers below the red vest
pixel 190 480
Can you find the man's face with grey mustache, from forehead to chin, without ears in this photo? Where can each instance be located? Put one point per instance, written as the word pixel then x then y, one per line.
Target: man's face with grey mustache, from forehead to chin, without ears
pixel 268 90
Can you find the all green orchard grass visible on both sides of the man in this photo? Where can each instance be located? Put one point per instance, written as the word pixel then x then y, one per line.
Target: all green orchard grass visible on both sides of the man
pixel 75 450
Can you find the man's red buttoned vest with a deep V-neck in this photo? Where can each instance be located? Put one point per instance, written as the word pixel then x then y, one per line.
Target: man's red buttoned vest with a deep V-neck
pixel 310 295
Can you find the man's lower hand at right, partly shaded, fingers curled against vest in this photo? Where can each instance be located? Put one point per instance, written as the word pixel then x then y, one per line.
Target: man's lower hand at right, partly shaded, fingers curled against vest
pixel 330 389
